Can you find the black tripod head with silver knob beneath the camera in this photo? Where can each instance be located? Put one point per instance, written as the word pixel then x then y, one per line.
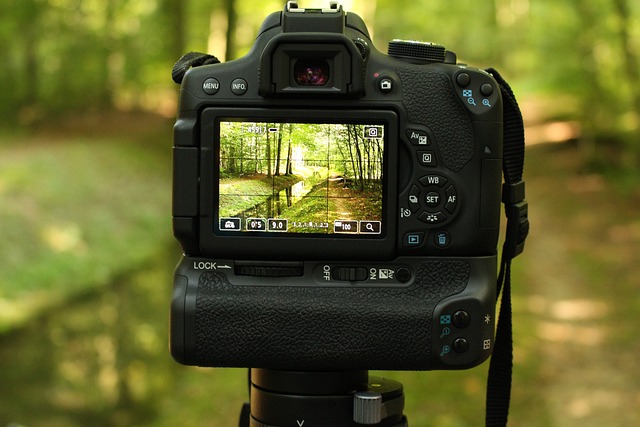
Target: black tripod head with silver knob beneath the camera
pixel 321 399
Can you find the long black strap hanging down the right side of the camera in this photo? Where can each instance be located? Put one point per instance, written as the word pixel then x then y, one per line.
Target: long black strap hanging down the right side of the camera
pixel 516 209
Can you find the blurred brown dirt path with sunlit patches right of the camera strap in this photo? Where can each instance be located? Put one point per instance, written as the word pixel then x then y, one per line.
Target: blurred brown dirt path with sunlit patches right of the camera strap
pixel 576 307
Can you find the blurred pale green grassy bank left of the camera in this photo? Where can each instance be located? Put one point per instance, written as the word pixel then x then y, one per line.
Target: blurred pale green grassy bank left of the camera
pixel 76 212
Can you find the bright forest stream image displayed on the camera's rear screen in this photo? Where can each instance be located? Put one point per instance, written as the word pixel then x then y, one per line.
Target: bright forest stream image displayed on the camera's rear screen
pixel 320 178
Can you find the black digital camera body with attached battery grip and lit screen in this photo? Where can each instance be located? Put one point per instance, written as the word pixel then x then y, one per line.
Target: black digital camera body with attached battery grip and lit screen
pixel 338 208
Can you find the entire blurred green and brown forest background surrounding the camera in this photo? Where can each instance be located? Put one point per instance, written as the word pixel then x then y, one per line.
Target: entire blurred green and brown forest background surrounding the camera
pixel 86 107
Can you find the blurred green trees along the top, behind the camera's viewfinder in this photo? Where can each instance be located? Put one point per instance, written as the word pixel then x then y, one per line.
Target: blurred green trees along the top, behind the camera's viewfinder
pixel 68 55
